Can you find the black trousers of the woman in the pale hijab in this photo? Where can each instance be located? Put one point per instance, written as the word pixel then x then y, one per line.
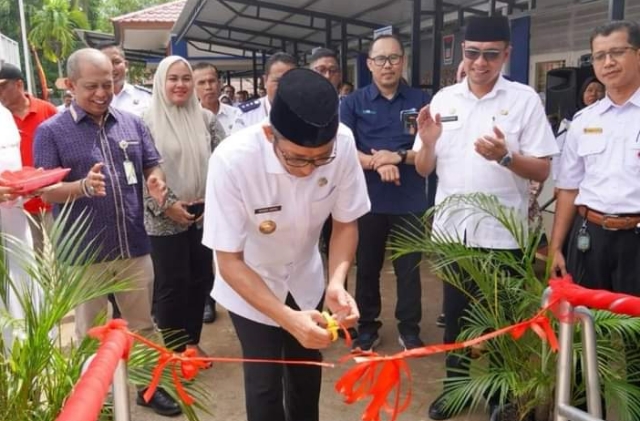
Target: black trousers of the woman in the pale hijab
pixel 183 270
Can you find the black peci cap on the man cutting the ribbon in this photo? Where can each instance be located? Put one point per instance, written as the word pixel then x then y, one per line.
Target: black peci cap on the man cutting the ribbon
pixel 305 108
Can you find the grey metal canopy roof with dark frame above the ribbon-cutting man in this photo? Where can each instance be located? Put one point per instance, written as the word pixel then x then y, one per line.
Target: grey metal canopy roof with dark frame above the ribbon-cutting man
pixel 274 25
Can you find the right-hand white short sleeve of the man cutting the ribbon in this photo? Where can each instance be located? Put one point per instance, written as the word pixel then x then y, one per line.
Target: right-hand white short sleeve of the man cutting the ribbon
pixel 353 197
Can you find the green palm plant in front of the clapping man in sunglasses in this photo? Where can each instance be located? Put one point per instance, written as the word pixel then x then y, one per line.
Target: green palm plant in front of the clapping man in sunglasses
pixel 520 373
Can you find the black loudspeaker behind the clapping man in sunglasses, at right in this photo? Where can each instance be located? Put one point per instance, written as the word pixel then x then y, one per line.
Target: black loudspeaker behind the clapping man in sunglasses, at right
pixel 563 90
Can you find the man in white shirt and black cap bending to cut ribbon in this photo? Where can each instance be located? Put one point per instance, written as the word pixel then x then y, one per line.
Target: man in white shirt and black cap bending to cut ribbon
pixel 269 190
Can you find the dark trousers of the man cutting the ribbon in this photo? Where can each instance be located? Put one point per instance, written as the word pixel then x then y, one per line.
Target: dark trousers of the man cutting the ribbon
pixel 276 392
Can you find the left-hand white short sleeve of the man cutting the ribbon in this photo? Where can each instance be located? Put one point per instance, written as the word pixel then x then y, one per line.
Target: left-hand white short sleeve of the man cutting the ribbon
pixel 225 216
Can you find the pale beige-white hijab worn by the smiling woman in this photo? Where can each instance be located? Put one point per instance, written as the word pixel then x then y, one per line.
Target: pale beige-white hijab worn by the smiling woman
pixel 180 134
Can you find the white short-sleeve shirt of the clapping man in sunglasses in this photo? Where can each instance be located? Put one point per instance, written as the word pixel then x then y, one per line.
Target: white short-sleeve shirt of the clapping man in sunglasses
pixel 517 111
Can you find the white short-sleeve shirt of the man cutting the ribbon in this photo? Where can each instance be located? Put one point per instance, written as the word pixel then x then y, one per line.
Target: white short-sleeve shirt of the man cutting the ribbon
pixel 247 187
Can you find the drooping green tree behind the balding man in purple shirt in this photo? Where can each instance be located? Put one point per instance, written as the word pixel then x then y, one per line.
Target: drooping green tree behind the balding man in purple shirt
pixel 52 30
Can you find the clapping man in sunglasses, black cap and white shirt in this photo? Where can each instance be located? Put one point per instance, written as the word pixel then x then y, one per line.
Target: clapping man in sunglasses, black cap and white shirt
pixel 484 134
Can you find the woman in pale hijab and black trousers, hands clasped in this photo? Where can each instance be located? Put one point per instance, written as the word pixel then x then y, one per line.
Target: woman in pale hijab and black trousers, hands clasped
pixel 185 135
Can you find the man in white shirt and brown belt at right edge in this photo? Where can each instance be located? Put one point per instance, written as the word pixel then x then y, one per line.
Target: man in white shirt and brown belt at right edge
pixel 598 207
